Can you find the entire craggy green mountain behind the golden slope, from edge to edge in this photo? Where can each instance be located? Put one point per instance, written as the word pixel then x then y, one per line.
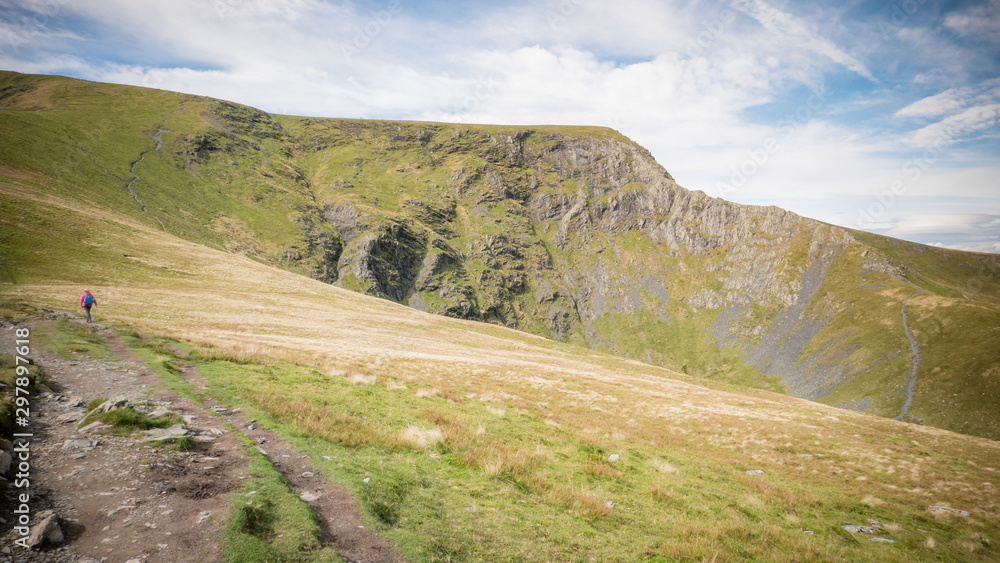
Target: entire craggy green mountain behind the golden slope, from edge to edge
pixel 571 233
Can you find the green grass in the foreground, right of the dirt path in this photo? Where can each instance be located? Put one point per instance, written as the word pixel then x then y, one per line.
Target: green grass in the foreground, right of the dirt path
pixel 470 496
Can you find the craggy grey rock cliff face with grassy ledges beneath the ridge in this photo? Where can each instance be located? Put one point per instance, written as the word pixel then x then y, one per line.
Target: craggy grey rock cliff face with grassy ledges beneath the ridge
pixel 542 231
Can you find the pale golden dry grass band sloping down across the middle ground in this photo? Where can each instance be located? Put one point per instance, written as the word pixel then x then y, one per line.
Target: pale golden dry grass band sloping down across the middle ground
pixel 238 310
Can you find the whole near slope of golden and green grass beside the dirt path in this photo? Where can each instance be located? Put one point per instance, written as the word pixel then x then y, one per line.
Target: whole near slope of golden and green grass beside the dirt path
pixel 483 443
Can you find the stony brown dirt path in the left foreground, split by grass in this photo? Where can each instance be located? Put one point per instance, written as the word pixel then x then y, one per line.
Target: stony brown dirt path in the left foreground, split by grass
pixel 119 500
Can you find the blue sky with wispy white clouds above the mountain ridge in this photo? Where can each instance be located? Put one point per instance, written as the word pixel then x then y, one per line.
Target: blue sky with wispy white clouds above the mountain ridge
pixel 878 115
